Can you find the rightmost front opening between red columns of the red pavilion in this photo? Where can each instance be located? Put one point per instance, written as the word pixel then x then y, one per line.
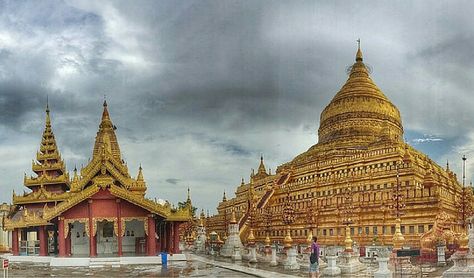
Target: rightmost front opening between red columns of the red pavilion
pixel 134 238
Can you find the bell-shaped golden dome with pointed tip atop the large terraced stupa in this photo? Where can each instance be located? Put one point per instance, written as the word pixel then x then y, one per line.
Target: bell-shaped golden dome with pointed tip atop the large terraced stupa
pixel 360 113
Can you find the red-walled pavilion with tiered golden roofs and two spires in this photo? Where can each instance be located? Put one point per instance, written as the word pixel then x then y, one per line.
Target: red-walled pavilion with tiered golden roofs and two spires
pixel 100 211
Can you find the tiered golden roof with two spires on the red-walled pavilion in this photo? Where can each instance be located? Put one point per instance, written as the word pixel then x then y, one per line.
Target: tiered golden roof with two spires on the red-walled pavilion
pixel 106 170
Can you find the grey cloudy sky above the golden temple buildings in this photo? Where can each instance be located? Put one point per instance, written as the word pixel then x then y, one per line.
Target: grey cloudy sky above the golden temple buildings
pixel 199 89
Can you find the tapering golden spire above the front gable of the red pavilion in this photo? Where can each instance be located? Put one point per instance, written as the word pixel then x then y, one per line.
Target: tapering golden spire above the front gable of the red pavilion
pixel 106 140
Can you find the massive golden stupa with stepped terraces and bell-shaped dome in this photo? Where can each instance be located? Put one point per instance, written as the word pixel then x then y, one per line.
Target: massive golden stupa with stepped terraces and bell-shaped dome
pixel 360 174
